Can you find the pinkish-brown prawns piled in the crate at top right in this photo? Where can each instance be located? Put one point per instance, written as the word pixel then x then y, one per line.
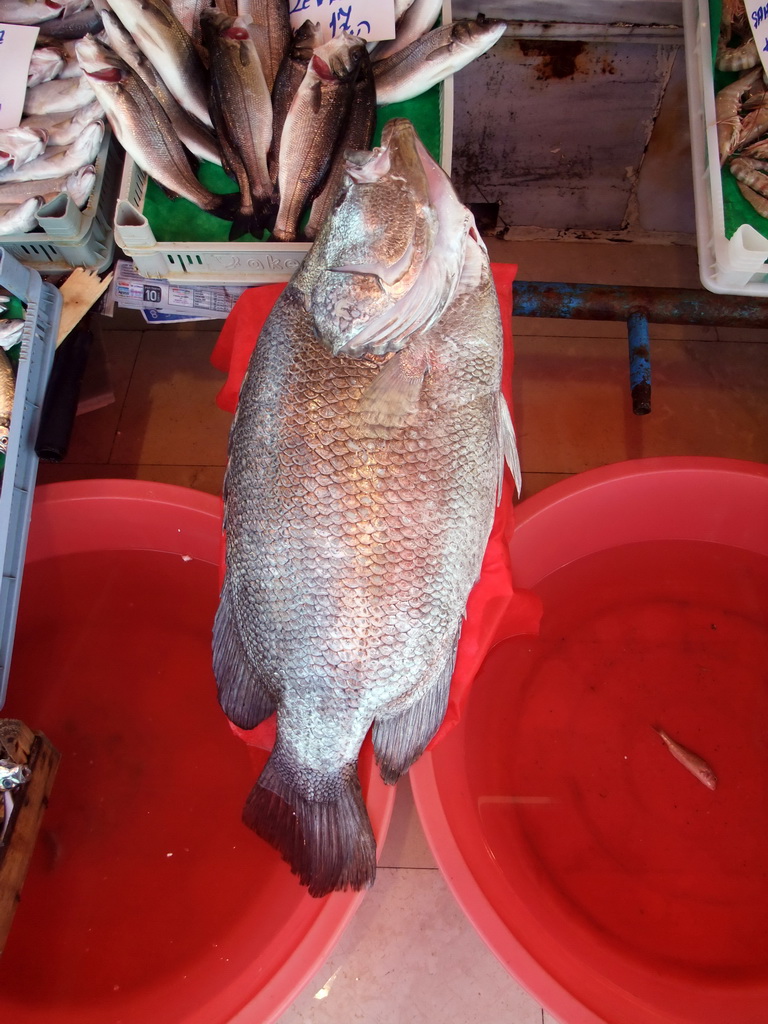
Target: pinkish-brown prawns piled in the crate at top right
pixel 743 108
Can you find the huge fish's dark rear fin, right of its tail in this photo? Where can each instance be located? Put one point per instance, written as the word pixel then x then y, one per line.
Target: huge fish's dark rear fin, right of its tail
pixel 401 739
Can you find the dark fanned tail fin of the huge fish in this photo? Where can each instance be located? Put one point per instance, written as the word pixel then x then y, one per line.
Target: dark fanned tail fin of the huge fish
pixel 328 842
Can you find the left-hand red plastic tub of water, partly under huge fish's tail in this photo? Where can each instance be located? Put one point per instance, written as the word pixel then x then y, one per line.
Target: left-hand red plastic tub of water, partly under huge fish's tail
pixel 148 900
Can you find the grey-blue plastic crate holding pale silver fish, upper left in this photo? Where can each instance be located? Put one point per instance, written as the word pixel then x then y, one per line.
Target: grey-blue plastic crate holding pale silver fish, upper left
pixel 70 237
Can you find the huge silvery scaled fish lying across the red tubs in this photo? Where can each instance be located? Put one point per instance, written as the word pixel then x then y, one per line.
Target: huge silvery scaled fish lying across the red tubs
pixel 359 500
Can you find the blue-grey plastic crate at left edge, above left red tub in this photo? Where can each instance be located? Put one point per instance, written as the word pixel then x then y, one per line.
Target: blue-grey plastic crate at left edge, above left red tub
pixel 44 311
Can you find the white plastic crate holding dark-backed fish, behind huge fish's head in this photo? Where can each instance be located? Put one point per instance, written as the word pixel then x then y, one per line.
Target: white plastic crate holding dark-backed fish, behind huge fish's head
pixel 229 263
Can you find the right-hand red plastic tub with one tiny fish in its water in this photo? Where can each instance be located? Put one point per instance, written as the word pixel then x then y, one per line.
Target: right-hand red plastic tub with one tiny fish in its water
pixel 607 878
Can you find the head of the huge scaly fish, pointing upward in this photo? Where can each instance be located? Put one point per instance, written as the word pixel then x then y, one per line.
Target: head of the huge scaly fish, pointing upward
pixel 375 241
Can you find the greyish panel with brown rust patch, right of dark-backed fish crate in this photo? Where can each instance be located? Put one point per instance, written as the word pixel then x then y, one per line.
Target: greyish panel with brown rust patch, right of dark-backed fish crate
pixel 557 132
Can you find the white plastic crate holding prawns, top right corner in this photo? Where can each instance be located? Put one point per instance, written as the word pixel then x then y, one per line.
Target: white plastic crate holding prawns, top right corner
pixel 730 267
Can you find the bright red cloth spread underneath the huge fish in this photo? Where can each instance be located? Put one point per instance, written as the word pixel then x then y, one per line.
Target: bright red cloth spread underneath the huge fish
pixel 495 609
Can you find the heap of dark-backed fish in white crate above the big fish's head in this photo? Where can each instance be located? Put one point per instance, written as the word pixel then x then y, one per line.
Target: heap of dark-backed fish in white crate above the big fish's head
pixel 183 82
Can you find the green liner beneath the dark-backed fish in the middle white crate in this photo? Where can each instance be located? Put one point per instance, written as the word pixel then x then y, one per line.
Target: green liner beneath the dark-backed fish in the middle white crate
pixel 181 221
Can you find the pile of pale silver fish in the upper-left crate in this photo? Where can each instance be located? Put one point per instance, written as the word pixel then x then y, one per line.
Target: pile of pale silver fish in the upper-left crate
pixel 55 148
